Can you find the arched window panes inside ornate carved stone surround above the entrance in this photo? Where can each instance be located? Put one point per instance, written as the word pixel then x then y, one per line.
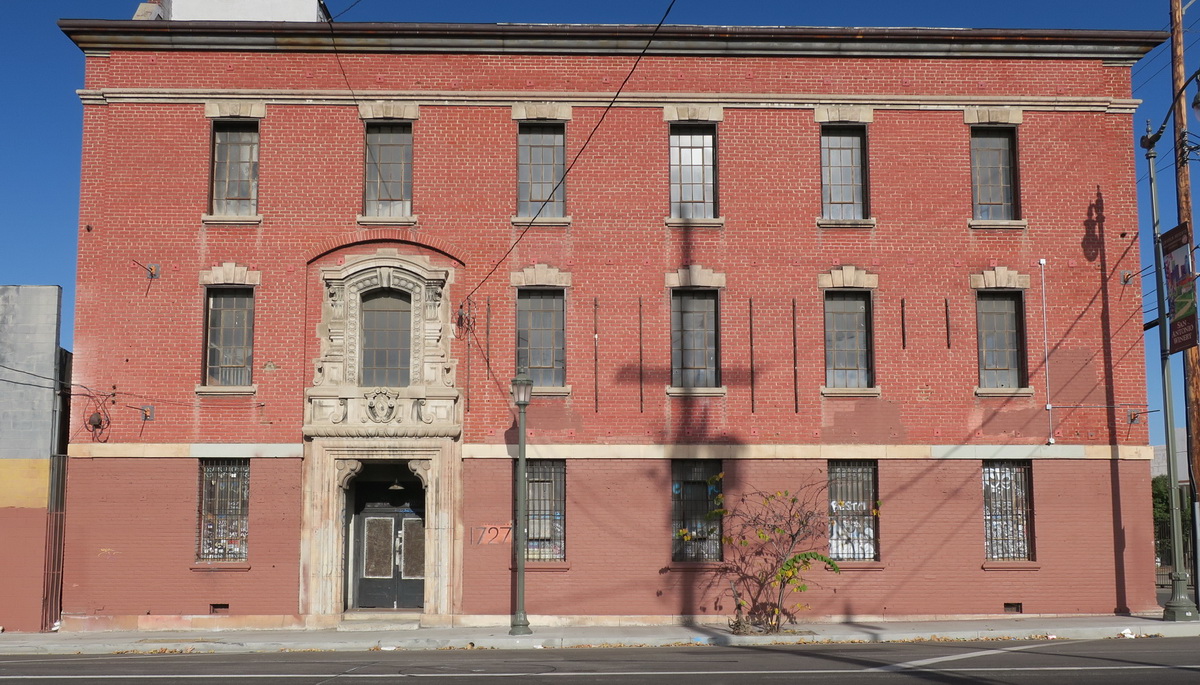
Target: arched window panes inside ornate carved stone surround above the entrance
pixel 387 339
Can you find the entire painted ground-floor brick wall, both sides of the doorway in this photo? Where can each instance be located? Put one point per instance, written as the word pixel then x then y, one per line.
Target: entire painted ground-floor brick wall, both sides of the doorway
pixel 131 545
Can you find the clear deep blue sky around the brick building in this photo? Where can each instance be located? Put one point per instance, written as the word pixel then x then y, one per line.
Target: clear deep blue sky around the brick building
pixel 40 165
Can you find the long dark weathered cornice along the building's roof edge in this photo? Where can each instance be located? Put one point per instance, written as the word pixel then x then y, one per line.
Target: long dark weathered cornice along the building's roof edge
pixel 610 39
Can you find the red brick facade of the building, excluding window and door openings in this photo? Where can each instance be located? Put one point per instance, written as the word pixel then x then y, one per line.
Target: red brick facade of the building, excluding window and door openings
pixel 131 544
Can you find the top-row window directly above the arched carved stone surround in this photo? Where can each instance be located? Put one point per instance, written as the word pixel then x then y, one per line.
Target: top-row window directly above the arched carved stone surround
pixel 388 175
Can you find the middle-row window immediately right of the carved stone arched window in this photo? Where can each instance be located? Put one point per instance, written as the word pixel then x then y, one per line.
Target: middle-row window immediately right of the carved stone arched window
pixel 542 338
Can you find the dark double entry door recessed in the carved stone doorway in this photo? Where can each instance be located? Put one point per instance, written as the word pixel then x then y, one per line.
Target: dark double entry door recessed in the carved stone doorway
pixel 387 548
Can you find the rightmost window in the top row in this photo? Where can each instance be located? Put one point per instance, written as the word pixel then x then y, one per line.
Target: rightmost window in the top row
pixel 994 173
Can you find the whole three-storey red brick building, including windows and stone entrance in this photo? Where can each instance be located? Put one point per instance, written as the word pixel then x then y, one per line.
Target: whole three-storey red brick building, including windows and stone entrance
pixel 889 268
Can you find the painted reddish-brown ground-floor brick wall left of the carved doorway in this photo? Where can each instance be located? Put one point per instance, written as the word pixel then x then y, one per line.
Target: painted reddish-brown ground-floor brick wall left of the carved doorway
pixel 133 533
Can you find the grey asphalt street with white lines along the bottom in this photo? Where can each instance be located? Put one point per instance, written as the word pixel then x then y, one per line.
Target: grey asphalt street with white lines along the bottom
pixel 1087 662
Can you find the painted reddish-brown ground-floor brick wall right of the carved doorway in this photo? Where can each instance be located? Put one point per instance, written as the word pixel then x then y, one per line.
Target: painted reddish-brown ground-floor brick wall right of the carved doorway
pixel 1093 527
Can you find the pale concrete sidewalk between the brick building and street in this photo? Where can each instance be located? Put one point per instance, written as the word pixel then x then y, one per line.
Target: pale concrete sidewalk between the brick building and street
pixel 249 641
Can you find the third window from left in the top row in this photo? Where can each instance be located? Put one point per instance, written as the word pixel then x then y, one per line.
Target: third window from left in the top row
pixel 542 158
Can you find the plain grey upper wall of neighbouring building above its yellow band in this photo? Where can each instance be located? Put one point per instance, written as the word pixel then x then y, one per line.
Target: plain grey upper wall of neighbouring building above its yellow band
pixel 29 342
